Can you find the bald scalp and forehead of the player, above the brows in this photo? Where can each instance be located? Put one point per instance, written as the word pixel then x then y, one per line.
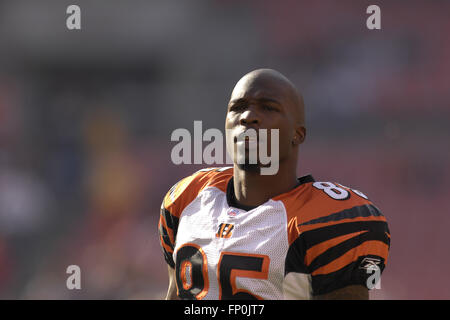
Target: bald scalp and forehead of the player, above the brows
pixel 272 82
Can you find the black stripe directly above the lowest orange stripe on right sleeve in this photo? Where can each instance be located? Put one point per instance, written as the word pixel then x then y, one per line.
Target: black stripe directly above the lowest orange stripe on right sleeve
pixel 341 248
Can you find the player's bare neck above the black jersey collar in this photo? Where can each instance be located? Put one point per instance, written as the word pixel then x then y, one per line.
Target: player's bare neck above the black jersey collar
pixel 253 189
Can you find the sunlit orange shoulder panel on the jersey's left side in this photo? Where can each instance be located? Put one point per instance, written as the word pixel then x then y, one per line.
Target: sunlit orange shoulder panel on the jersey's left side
pixel 188 188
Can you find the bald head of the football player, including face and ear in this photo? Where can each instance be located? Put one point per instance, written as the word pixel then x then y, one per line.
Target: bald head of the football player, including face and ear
pixel 266 99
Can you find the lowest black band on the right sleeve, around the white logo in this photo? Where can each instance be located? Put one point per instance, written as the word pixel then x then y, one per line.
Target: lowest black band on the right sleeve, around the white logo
pixel 351 274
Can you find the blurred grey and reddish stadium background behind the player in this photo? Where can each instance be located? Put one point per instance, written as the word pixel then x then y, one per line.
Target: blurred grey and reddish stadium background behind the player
pixel 86 118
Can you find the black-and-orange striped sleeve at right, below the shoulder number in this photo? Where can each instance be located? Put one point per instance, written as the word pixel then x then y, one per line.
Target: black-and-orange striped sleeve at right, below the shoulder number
pixel 345 248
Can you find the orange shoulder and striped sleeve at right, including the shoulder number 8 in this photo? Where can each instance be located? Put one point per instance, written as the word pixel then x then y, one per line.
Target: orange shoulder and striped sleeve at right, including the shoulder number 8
pixel 338 233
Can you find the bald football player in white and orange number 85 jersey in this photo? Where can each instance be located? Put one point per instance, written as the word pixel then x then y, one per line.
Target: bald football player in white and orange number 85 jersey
pixel 234 233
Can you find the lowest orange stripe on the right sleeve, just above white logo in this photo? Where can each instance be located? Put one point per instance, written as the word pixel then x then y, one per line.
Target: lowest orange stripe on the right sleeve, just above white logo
pixel 373 247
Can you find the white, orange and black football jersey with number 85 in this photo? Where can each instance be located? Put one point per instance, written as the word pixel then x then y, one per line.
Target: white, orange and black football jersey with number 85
pixel 316 238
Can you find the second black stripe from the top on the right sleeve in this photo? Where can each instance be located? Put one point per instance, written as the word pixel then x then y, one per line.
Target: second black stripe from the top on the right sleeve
pixel 316 236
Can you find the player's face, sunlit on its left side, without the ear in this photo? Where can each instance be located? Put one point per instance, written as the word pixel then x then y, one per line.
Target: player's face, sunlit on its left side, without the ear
pixel 261 103
